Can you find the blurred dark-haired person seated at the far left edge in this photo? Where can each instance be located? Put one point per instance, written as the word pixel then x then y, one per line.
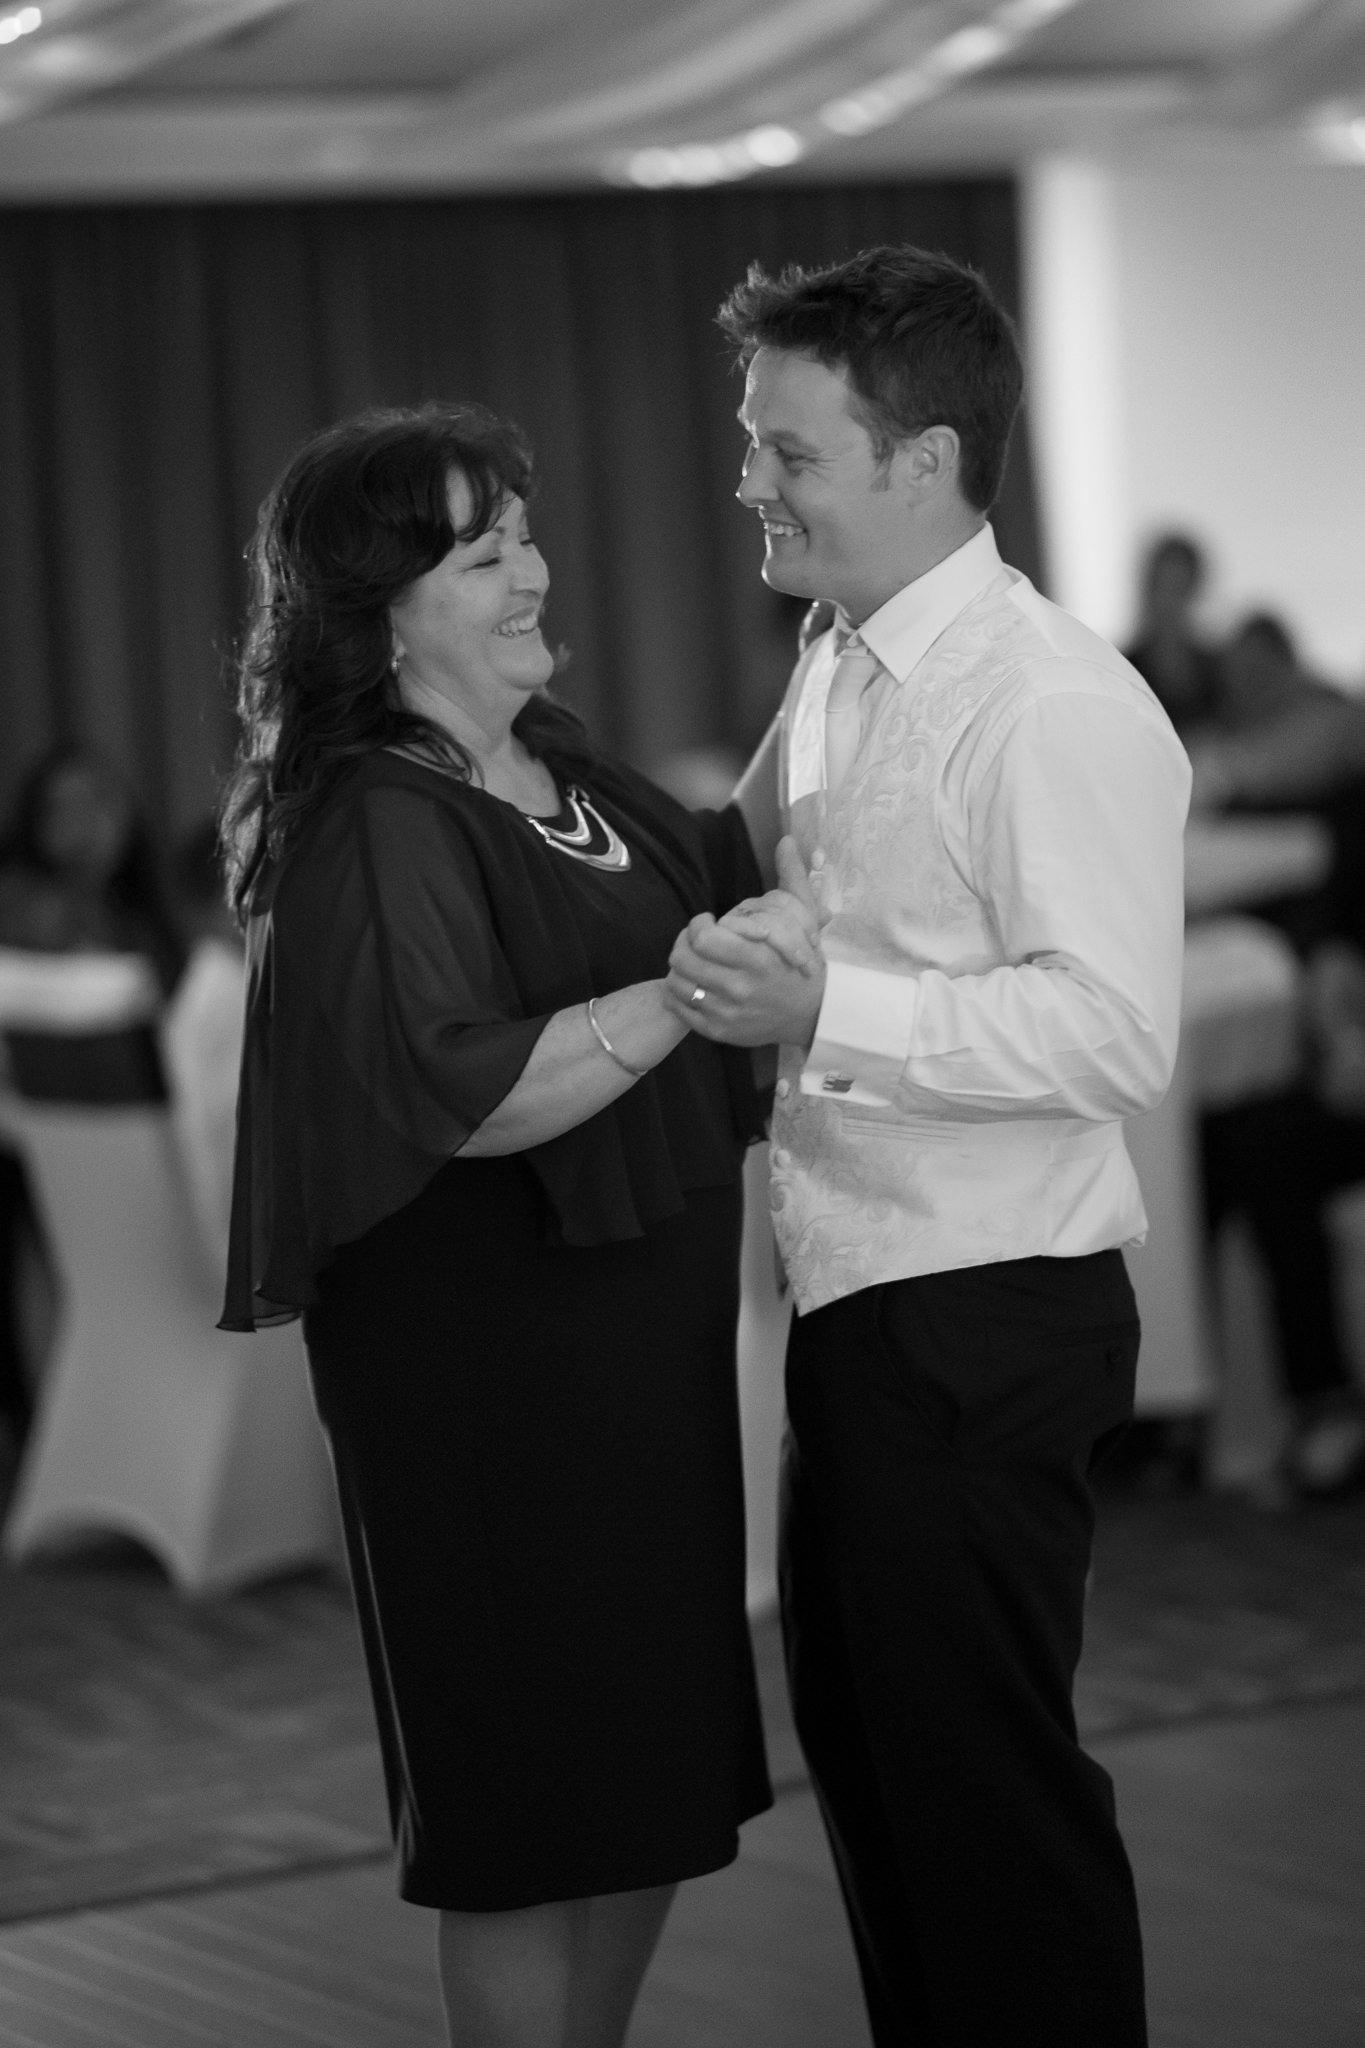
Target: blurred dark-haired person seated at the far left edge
pixel 79 878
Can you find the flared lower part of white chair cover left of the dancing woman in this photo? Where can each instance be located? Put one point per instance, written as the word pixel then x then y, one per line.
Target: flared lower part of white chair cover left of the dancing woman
pixel 152 1422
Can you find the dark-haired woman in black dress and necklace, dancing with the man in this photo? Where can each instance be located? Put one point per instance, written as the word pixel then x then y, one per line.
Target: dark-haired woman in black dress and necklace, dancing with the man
pixel 502 1185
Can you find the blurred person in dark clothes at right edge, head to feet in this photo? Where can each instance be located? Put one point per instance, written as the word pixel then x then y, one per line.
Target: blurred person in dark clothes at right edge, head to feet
pixel 1282 740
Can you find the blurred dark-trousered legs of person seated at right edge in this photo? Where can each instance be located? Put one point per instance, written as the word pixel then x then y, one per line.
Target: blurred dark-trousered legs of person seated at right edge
pixel 1278 1162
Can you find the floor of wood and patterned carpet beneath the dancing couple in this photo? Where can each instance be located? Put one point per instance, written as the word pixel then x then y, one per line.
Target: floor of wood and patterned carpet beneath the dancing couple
pixel 1225 1691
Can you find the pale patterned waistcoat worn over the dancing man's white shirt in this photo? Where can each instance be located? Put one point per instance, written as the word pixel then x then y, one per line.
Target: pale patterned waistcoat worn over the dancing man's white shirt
pixel 865 1189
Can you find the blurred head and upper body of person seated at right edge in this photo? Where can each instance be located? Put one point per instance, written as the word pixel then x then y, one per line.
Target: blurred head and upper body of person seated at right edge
pixel 1290 742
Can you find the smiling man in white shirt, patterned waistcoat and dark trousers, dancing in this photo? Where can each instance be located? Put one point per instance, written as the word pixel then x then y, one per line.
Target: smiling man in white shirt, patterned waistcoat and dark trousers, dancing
pixel 985 814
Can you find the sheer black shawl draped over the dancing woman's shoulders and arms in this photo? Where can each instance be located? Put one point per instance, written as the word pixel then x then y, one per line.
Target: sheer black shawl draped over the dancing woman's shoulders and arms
pixel 404 959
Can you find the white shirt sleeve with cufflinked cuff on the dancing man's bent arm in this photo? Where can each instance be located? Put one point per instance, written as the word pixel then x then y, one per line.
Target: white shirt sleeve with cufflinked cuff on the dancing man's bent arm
pixel 1065 820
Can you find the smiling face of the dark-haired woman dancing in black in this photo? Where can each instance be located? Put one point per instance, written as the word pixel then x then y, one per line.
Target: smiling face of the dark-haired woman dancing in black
pixel 472 626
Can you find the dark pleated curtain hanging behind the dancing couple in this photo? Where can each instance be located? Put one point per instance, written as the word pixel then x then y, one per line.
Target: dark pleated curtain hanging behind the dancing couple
pixel 161 364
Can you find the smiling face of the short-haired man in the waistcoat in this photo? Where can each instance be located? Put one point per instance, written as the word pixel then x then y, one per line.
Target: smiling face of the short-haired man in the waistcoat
pixel 836 521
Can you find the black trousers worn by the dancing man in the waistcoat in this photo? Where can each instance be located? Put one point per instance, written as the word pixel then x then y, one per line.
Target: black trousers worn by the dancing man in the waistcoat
pixel 936 1541
